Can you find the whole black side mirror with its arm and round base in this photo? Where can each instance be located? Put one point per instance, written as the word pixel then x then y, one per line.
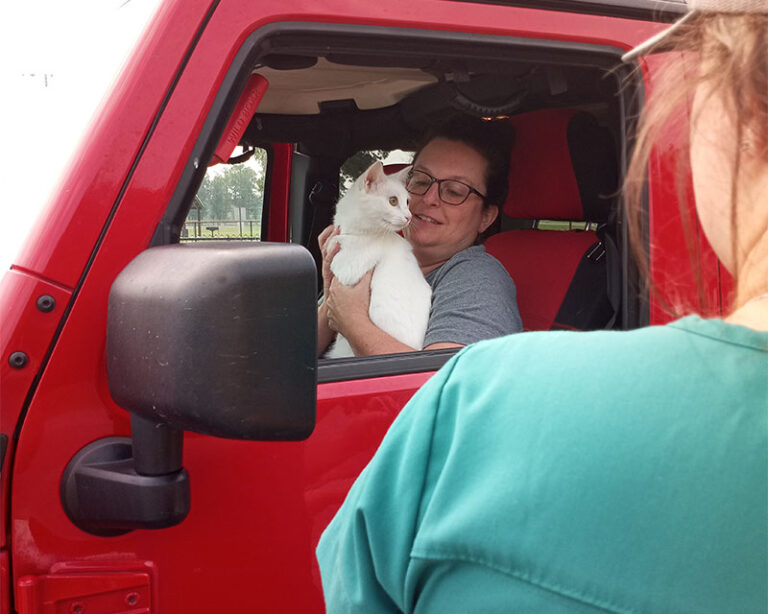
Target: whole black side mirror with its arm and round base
pixel 219 339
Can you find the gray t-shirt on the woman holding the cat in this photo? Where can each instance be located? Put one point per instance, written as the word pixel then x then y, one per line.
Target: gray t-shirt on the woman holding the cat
pixel 473 298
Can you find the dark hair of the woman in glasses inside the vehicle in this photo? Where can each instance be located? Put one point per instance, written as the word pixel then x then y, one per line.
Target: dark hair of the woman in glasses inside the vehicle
pixel 491 139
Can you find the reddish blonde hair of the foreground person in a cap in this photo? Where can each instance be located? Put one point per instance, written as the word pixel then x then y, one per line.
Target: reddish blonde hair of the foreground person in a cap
pixel 728 53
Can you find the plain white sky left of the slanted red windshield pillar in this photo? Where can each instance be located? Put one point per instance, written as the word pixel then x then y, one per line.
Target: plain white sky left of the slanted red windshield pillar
pixel 57 61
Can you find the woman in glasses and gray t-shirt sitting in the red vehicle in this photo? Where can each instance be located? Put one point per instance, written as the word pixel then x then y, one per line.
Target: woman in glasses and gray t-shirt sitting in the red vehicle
pixel 457 185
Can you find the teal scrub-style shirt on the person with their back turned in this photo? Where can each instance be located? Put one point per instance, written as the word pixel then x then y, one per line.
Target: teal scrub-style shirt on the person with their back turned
pixel 569 472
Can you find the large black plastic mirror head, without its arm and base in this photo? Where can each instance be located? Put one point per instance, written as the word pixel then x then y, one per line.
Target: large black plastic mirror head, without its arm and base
pixel 219 339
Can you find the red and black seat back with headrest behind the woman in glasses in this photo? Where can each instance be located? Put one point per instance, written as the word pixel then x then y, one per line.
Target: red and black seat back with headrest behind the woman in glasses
pixel 563 167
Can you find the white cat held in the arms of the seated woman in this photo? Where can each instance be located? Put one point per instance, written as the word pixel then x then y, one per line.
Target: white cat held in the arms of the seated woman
pixel 370 214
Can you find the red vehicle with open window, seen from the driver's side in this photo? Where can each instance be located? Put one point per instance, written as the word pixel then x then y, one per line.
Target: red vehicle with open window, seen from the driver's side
pixel 311 87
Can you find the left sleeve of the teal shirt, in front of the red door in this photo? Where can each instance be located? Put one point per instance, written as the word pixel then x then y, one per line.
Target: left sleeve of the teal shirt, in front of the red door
pixel 364 554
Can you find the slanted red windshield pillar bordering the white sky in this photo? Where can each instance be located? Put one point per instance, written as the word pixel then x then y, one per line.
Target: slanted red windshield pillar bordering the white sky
pixel 69 227
